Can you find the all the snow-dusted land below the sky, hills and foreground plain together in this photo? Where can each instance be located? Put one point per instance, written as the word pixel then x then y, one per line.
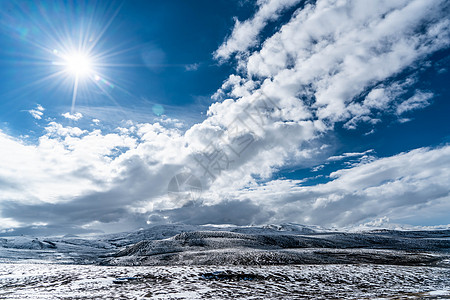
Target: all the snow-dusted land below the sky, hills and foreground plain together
pixel 228 262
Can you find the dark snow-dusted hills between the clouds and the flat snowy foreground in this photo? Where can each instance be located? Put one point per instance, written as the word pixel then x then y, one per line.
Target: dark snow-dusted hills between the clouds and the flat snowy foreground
pixel 226 245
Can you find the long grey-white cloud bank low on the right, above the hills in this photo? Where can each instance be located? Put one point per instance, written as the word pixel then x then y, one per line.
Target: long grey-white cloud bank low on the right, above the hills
pixel 395 187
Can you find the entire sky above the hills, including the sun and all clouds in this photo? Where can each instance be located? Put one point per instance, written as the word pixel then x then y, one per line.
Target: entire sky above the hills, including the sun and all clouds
pixel 277 110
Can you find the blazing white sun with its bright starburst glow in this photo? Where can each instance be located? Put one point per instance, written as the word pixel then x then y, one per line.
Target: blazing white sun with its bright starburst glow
pixel 81 55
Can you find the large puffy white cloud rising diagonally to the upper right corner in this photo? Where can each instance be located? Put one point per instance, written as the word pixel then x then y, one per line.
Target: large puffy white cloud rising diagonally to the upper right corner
pixel 332 62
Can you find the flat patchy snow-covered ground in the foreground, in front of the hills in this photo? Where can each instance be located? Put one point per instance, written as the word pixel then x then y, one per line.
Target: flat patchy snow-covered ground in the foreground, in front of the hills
pixel 50 281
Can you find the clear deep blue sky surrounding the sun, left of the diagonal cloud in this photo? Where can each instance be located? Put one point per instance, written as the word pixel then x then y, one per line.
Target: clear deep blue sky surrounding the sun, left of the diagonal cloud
pixel 150 47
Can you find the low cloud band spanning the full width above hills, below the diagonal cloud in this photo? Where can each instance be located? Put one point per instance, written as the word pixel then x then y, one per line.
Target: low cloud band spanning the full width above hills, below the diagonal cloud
pixel 80 180
